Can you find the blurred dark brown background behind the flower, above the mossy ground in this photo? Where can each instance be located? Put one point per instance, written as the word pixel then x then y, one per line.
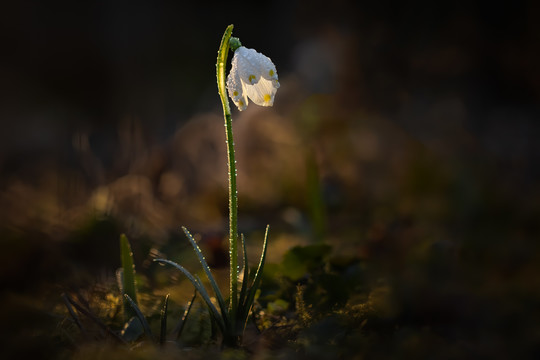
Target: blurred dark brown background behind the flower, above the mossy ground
pixel 403 133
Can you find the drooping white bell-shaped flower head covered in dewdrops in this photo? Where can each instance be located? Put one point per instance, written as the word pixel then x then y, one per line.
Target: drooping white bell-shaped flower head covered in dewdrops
pixel 252 75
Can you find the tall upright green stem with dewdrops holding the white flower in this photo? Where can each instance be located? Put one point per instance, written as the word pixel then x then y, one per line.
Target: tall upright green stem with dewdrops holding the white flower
pixel 233 199
